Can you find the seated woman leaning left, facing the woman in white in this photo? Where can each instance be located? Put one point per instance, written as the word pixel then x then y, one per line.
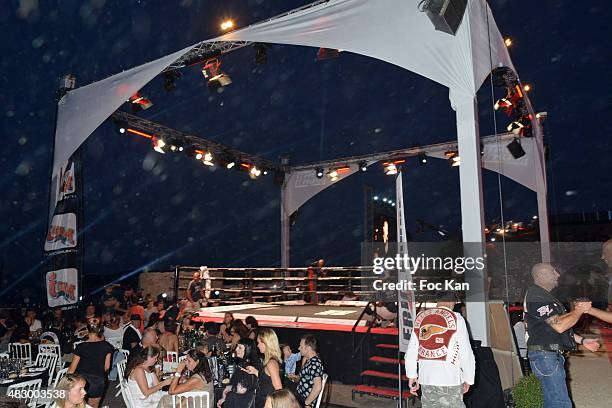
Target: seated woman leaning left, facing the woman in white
pixel 200 378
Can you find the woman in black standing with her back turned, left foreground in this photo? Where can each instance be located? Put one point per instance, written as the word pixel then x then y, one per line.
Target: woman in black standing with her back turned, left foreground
pixel 92 360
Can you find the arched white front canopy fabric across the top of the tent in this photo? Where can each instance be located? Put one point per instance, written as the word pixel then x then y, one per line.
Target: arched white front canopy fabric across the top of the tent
pixel 394 31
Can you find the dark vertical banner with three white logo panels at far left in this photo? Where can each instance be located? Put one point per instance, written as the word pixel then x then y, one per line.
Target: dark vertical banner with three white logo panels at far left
pixel 63 243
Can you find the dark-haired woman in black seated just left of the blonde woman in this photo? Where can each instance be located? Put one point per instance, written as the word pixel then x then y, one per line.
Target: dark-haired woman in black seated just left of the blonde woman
pixel 241 388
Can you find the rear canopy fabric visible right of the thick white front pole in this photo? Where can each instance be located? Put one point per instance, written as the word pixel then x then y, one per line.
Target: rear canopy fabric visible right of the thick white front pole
pixel 527 170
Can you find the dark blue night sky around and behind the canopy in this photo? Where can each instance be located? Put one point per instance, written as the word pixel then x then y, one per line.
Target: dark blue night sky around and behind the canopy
pixel 149 211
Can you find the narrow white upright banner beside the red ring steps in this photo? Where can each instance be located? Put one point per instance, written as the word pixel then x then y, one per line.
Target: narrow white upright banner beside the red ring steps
pixel 406 306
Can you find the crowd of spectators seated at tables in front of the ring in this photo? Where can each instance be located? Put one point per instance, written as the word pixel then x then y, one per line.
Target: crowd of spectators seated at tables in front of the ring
pixel 145 329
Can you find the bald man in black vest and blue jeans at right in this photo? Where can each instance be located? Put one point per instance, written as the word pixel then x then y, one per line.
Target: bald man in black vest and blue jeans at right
pixel 549 331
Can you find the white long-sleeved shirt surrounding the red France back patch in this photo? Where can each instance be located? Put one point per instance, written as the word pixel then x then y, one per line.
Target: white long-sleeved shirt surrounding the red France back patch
pixel 443 372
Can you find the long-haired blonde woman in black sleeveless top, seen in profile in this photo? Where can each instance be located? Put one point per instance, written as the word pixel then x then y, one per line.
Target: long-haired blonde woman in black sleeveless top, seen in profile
pixel 269 377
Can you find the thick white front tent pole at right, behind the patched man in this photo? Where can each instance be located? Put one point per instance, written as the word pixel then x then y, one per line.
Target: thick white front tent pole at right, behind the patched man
pixel 472 212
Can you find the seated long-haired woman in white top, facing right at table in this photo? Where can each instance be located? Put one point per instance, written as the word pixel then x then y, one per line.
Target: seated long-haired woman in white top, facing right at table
pixel 142 381
